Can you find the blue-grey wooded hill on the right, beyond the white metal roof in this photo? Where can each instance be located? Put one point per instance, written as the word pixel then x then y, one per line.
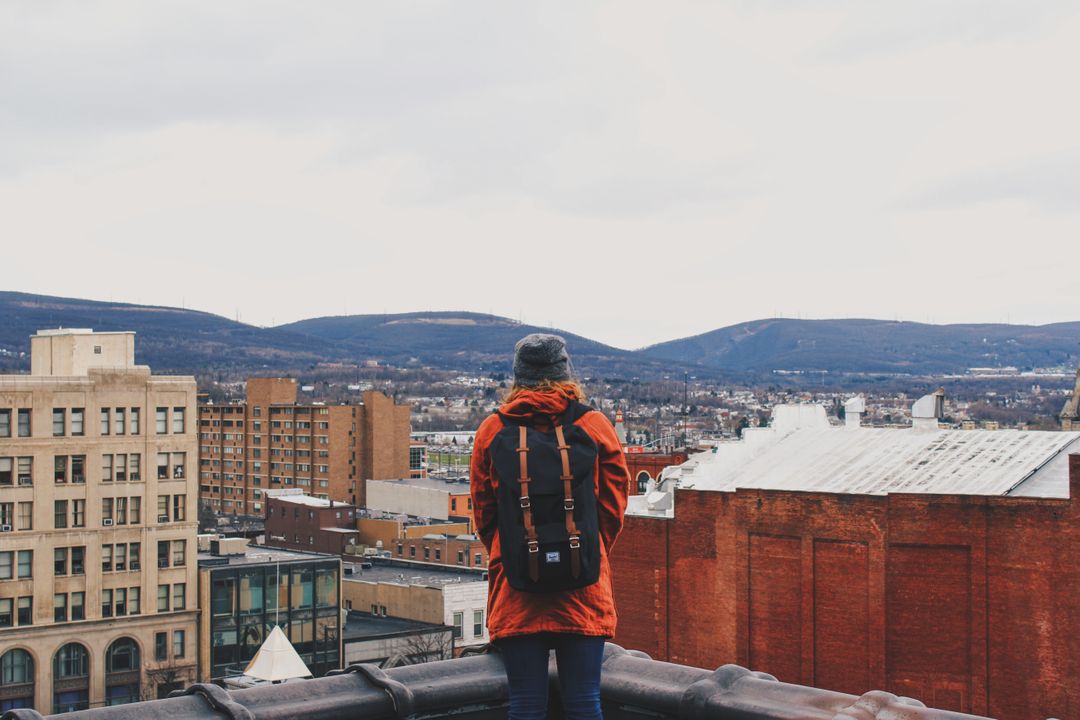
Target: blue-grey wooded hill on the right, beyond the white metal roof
pixel 873 346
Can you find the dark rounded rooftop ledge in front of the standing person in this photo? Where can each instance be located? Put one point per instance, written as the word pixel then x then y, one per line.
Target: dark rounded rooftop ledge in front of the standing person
pixel 475 688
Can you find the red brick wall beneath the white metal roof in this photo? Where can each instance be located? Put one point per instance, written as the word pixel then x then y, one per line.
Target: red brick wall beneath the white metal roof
pixel 967 604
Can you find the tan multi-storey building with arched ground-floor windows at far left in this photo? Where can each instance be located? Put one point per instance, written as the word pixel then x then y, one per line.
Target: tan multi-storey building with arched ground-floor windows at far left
pixel 98 526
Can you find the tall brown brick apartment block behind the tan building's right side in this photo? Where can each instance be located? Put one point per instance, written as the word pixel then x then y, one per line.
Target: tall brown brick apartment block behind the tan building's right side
pixel 269 442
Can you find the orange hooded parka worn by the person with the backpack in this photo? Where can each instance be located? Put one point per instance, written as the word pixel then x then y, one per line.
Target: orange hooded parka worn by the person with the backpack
pixel 585 612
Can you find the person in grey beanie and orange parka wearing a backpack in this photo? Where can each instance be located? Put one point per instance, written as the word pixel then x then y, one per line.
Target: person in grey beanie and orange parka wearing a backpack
pixel 549 485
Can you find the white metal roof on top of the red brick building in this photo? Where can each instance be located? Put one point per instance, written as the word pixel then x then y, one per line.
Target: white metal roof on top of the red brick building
pixel 802 452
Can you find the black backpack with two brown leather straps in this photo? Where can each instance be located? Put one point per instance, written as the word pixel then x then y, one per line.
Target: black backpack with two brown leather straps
pixel 549 529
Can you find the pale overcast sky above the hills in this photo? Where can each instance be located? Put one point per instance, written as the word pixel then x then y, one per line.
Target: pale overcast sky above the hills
pixel 631 172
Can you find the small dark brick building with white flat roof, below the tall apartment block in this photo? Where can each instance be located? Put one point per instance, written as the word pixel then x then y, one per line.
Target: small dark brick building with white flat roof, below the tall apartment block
pixel 306 523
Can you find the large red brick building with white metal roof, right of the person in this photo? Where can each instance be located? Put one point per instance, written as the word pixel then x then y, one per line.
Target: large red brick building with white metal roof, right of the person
pixel 966 600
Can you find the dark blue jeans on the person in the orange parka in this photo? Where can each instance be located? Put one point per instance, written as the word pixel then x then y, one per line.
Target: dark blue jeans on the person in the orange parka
pixel 579 660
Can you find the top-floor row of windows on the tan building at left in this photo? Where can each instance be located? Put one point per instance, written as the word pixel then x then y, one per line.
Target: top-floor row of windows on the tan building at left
pixel 72 423
